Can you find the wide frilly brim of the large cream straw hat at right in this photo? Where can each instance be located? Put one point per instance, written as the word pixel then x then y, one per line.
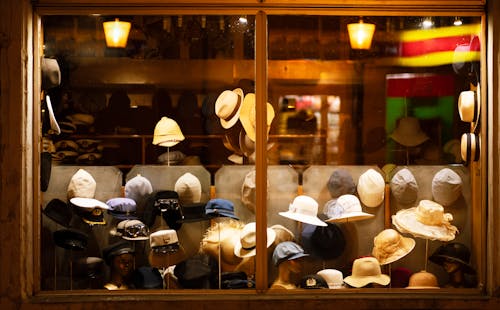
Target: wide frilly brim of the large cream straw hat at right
pixel 406 222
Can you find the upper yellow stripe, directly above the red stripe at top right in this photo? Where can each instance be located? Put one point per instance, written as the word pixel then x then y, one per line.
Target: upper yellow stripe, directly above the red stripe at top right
pixel 433 33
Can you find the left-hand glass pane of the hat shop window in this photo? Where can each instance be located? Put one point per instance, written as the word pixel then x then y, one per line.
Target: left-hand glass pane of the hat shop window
pixel 138 137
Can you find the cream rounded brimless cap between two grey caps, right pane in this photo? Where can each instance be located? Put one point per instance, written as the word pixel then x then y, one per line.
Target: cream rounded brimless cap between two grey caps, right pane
pixel 371 188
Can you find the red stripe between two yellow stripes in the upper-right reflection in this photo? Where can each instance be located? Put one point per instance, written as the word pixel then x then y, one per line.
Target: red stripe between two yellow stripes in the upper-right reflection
pixel 417 48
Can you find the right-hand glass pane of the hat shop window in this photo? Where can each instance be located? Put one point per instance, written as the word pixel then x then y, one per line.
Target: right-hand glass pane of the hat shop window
pixel 365 135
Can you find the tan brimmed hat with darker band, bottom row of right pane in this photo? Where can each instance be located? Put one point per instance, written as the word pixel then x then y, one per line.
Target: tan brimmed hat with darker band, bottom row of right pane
pixel 366 270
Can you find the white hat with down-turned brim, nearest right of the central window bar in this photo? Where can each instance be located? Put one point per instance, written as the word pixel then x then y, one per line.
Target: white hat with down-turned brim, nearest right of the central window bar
pixel 304 209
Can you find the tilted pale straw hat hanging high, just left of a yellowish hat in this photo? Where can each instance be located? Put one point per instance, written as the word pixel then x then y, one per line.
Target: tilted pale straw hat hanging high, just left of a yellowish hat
pixel 228 106
